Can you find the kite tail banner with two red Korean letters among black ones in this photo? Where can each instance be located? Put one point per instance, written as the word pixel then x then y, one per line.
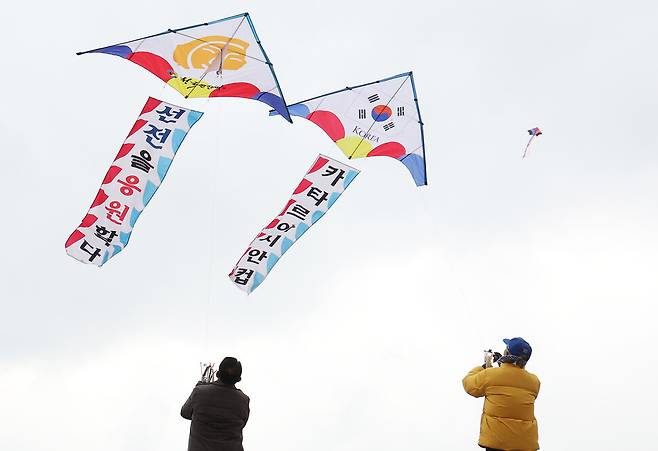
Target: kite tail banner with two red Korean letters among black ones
pixel 133 178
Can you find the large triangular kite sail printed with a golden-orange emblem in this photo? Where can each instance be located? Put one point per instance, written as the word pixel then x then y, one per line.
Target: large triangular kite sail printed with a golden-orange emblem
pixel 223 58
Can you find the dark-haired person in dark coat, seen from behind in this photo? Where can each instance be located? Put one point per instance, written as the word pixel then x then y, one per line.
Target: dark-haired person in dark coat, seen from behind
pixel 218 411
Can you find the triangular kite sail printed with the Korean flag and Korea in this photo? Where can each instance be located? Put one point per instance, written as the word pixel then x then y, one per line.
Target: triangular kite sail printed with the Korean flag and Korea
pixel 381 118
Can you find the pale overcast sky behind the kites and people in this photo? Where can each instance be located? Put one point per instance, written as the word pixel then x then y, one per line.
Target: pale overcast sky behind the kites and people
pixel 359 338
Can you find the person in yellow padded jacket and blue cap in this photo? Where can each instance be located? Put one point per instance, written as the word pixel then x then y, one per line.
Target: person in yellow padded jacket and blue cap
pixel 508 418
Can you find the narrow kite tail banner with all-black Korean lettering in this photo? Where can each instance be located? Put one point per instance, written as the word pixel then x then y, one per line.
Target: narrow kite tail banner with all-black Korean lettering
pixel 313 197
